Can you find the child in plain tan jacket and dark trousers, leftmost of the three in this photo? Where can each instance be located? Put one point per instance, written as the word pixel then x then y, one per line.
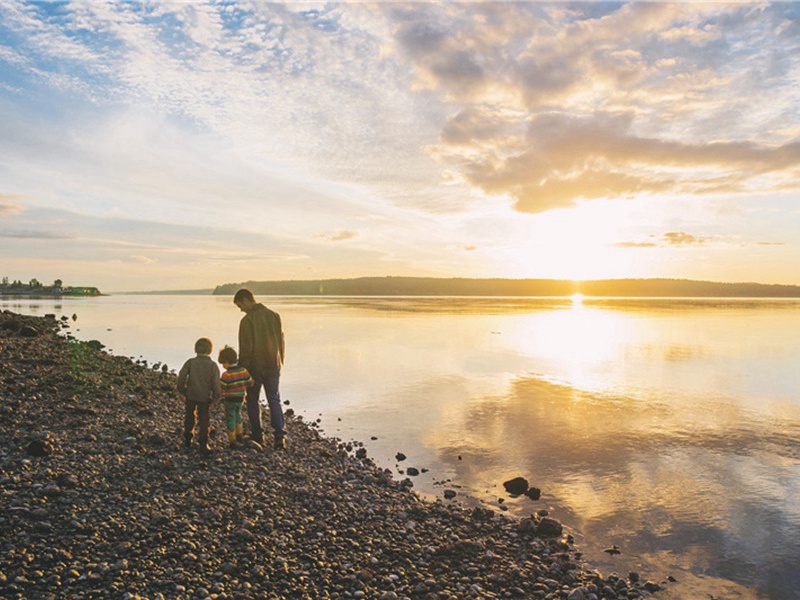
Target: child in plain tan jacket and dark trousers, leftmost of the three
pixel 198 383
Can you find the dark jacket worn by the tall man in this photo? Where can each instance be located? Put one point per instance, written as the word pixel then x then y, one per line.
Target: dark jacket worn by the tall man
pixel 261 343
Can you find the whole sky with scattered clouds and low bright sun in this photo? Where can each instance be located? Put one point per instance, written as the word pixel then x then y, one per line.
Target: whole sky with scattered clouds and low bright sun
pixel 182 145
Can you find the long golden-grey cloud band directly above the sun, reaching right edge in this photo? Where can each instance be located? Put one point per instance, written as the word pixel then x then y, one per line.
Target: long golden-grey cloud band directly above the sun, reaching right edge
pixel 567 158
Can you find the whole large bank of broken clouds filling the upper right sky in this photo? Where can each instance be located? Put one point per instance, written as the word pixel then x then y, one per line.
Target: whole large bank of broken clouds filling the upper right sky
pixel 564 104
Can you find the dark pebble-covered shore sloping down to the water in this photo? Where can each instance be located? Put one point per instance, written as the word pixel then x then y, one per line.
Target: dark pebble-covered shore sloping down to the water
pixel 100 501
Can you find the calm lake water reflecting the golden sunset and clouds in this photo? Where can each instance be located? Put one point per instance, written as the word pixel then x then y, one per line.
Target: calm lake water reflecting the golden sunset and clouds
pixel 670 428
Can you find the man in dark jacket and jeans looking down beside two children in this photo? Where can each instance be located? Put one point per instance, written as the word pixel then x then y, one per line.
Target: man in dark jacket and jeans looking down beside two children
pixel 261 351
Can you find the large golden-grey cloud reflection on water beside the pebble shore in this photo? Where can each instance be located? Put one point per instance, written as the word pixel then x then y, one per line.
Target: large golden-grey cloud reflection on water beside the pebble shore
pixel 696 478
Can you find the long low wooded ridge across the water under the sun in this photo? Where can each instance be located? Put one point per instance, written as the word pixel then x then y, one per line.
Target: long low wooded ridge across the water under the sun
pixel 430 286
